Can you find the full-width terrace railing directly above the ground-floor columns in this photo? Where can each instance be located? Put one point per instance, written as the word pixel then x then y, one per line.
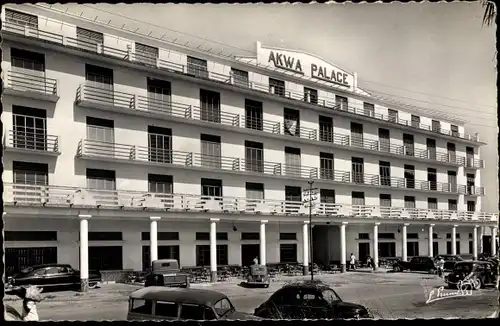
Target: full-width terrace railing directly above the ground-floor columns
pixel 60 196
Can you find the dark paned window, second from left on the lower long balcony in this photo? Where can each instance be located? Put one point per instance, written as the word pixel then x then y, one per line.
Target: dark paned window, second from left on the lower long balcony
pixel 159 144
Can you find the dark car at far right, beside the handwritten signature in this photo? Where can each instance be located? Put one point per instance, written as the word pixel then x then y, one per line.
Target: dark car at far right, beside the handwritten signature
pixel 480 274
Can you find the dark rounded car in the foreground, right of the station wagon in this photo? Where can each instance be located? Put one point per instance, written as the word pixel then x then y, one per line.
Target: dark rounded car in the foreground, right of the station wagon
pixel 309 300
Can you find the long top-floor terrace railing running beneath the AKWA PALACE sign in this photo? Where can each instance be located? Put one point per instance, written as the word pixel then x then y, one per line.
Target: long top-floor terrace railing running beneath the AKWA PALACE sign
pixel 205 73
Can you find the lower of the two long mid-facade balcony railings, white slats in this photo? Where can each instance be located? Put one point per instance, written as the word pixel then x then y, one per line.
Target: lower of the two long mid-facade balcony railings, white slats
pixel 98 149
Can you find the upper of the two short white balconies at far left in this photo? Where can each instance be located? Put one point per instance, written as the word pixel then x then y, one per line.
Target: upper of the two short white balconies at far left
pixel 23 84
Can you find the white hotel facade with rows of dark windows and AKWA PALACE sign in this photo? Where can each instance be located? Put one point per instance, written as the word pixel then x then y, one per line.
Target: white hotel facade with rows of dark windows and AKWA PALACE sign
pixel 127 155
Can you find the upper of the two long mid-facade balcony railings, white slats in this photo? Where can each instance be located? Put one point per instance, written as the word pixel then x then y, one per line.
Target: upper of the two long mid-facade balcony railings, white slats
pixel 213 114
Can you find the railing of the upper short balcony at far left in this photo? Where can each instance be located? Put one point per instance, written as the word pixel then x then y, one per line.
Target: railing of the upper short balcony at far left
pixel 26 82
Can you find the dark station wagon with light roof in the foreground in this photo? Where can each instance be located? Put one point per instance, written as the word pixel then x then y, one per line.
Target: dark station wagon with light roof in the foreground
pixel 160 303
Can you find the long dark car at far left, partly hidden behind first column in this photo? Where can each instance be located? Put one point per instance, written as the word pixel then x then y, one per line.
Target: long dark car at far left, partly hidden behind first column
pixel 51 275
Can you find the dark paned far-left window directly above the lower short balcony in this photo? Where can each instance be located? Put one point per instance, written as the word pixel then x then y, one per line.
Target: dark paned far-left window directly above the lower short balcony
pixel 30 128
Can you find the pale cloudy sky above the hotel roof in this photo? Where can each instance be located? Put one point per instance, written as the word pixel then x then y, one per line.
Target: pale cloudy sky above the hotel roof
pixel 432 55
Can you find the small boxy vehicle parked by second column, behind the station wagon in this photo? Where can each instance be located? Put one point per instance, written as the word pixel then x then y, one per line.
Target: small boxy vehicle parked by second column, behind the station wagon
pixel 166 272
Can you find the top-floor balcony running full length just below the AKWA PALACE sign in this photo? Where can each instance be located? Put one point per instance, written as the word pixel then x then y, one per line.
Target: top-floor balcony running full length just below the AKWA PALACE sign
pixel 75 46
